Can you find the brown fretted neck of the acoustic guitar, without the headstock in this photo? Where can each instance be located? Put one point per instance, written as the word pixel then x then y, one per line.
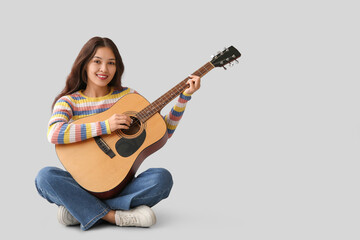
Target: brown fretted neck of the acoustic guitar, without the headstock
pixel 162 101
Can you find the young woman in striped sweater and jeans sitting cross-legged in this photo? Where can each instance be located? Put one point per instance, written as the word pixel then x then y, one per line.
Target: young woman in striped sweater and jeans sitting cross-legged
pixel 93 86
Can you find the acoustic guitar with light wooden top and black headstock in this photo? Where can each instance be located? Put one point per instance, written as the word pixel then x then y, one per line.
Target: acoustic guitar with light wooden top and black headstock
pixel 103 165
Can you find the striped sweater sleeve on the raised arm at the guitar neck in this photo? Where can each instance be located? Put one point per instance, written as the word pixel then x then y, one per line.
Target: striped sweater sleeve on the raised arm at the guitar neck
pixel 173 118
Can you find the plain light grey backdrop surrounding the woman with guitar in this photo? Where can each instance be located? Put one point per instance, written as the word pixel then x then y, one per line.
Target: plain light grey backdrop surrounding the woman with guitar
pixel 266 150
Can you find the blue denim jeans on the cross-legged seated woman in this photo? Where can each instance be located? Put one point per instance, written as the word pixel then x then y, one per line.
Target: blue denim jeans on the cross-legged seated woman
pixel 57 186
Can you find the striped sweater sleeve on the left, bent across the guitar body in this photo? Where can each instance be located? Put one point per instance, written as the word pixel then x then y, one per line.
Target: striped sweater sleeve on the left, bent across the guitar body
pixel 62 131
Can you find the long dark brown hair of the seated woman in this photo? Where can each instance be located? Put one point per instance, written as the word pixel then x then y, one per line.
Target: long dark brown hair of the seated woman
pixel 77 79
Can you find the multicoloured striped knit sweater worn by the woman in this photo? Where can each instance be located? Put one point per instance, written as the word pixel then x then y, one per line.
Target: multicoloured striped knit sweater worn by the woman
pixel 71 107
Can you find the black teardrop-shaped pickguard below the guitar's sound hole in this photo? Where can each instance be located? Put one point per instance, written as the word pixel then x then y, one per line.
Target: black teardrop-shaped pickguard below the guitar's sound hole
pixel 127 147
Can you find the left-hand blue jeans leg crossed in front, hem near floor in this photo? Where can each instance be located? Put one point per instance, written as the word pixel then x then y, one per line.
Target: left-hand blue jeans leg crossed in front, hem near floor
pixel 57 186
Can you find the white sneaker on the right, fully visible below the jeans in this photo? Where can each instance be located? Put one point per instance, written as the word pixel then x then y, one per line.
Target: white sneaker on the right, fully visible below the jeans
pixel 141 216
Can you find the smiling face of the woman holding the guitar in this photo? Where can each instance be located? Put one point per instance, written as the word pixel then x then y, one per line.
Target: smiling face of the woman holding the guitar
pixel 101 68
